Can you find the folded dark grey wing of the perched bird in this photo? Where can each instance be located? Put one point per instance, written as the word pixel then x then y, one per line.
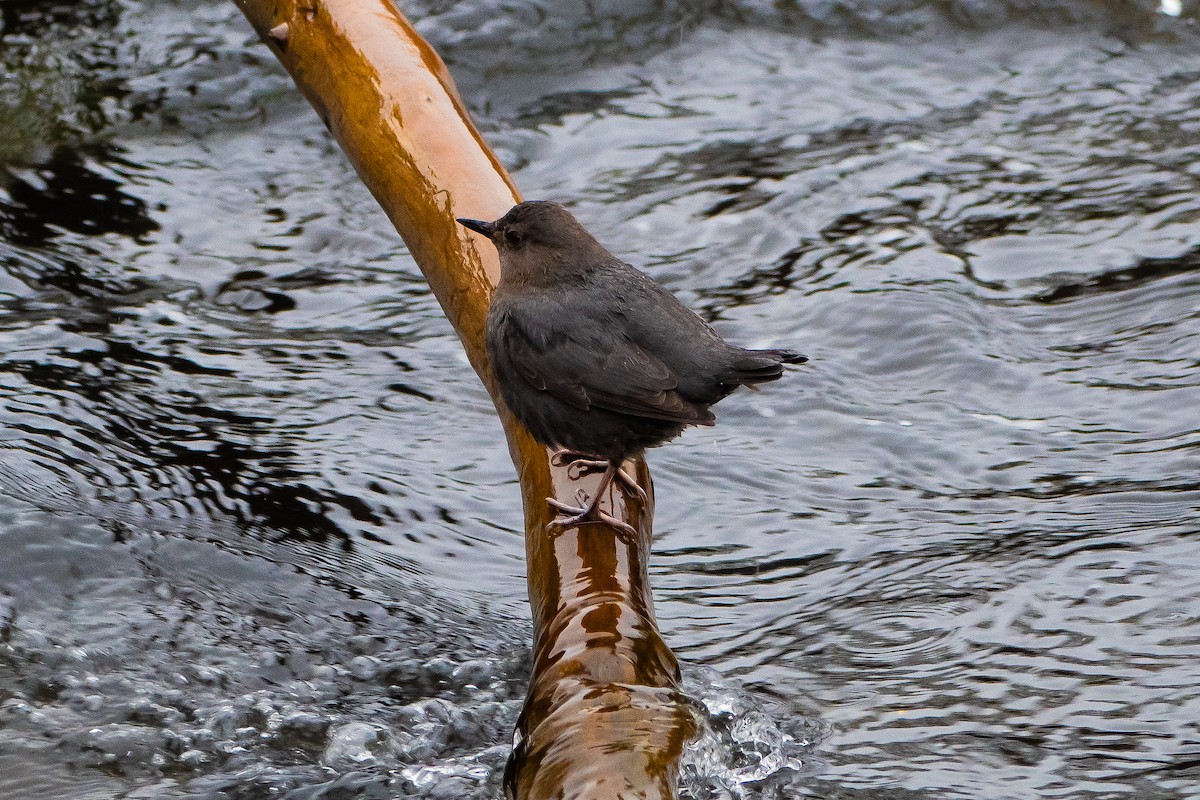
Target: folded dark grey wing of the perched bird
pixel 601 369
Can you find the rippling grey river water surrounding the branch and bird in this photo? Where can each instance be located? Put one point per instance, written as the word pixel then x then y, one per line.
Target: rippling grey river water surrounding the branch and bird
pixel 261 537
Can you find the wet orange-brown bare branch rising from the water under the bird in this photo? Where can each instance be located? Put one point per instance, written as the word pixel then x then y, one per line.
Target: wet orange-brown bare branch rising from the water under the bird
pixel 604 718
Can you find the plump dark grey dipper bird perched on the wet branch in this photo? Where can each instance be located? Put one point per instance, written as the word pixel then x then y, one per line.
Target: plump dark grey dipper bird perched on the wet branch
pixel 593 357
